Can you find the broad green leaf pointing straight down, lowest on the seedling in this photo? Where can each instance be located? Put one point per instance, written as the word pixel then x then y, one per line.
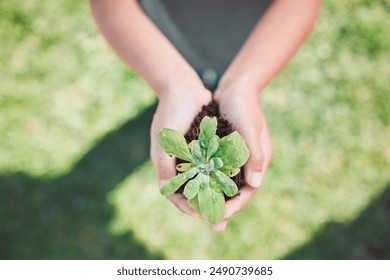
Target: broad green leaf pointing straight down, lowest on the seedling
pixel 211 204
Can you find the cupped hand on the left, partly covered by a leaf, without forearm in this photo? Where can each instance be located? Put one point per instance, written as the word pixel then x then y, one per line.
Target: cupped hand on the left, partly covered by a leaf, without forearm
pixel 176 109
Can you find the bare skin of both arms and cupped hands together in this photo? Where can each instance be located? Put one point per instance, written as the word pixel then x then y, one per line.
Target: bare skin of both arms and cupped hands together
pixel 273 42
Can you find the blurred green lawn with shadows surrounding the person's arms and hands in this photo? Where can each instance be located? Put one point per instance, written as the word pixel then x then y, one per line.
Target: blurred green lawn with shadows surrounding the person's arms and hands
pixel 76 181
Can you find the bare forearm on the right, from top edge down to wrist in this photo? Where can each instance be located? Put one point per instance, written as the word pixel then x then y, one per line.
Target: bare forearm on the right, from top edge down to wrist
pixel 272 43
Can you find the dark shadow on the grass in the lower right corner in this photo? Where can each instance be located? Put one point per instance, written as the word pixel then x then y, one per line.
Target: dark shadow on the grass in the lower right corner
pixel 368 237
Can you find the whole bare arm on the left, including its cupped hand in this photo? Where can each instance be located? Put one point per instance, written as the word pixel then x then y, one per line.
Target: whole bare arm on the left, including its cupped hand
pixel 142 46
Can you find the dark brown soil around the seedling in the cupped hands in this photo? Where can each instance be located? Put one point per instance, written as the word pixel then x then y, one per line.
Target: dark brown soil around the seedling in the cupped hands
pixel 224 128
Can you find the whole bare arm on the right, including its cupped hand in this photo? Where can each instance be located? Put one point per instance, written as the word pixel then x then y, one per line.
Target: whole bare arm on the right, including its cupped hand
pixel 272 43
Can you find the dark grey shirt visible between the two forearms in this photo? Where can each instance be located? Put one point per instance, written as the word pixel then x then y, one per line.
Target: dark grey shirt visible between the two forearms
pixel 208 33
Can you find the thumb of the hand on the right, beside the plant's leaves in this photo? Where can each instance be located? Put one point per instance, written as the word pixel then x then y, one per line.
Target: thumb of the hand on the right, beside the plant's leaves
pixel 254 166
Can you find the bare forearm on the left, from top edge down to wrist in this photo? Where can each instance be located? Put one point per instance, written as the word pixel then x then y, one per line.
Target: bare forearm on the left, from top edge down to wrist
pixel 141 45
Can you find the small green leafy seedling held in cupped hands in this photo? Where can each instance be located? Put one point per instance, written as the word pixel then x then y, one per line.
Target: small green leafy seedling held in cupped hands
pixel 210 162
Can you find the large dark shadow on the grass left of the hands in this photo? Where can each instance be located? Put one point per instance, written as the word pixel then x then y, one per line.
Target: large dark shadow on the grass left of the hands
pixel 67 218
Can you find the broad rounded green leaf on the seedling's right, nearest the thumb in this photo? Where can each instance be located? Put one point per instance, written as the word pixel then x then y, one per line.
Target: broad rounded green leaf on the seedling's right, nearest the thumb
pixel 233 151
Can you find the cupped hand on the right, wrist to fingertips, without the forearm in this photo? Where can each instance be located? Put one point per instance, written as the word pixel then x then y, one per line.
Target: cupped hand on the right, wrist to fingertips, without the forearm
pixel 241 107
